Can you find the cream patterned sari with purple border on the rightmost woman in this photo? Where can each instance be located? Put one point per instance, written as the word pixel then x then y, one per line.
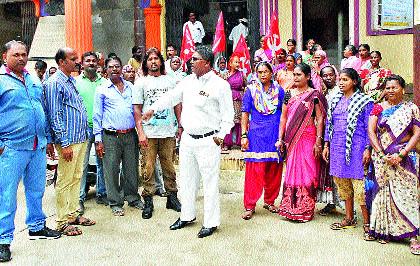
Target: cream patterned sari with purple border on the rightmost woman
pixel 395 189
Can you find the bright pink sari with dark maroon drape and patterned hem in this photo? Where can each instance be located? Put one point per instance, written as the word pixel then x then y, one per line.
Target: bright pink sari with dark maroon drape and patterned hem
pixel 302 168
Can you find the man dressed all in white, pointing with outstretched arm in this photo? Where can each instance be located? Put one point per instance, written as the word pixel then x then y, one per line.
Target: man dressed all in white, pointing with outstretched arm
pixel 207 116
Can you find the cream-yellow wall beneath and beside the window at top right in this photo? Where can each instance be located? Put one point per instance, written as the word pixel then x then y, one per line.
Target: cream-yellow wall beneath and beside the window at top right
pixel 397 50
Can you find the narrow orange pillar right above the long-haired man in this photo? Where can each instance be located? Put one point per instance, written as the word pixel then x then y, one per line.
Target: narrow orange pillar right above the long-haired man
pixel 152 24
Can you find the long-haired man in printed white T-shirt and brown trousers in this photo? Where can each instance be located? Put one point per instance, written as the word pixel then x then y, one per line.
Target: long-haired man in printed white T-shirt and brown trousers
pixel 156 136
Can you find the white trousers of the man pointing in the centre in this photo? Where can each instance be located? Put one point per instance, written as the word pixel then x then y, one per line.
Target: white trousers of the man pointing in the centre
pixel 199 158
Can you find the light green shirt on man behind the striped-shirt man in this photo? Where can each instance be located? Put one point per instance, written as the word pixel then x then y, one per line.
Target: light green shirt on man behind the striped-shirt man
pixel 87 89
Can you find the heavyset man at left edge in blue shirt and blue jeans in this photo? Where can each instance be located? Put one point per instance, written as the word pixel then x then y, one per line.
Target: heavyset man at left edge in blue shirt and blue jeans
pixel 23 145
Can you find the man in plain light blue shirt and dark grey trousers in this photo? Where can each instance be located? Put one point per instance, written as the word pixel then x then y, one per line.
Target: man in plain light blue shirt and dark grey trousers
pixel 116 139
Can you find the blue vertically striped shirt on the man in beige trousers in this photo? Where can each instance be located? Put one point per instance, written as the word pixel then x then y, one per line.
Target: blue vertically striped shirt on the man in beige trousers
pixel 65 110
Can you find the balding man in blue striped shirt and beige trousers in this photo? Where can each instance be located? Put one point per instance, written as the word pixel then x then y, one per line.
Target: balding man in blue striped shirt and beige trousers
pixel 68 118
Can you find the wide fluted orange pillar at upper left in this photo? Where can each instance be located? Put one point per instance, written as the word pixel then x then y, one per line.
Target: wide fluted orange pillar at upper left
pixel 78 15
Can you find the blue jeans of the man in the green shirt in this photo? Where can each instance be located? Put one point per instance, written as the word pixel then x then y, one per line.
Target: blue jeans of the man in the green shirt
pixel 100 182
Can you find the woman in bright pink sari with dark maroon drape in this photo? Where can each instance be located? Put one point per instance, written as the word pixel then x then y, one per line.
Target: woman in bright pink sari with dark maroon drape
pixel 300 133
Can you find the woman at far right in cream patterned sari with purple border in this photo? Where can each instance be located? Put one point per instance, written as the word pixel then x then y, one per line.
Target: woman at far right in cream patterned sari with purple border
pixel 394 132
